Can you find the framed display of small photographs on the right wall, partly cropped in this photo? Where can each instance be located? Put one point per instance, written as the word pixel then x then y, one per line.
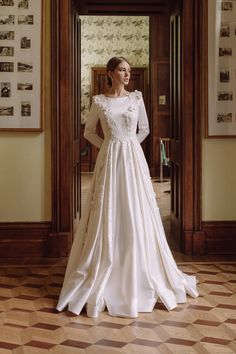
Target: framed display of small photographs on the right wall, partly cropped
pixel 221 73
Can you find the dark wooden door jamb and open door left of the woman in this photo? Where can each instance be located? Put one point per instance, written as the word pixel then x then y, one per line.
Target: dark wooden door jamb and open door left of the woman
pixel 65 126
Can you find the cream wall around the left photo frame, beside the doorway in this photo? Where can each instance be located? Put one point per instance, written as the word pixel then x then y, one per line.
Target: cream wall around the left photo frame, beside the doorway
pixel 25 165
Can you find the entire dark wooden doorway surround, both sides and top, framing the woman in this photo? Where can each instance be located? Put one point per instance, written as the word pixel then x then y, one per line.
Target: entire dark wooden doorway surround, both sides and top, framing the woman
pixel 186 124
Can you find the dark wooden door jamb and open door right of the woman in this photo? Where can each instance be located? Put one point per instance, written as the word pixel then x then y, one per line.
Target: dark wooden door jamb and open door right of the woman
pixel 185 149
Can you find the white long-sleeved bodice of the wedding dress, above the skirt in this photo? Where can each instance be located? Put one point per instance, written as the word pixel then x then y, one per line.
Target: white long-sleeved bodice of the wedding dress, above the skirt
pixel 119 118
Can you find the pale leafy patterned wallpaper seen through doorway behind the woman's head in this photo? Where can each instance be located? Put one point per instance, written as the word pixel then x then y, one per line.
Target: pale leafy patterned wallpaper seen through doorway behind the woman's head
pixel 103 37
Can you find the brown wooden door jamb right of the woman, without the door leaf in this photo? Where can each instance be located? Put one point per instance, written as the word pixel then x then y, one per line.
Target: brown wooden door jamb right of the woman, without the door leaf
pixel 193 238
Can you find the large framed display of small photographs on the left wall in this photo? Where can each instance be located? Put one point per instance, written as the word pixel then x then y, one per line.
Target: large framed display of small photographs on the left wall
pixel 21 70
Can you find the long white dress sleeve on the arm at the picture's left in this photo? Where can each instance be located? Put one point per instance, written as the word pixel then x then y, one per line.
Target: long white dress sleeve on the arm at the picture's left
pixel 90 127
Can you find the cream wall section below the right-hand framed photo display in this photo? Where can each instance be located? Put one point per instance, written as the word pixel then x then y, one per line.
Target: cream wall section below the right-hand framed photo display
pixel 218 179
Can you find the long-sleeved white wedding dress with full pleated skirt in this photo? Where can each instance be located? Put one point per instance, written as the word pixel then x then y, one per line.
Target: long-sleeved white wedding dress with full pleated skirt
pixel 120 257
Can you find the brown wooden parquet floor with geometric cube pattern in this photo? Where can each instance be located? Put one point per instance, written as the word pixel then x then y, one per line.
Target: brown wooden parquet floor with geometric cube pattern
pixel 29 322
